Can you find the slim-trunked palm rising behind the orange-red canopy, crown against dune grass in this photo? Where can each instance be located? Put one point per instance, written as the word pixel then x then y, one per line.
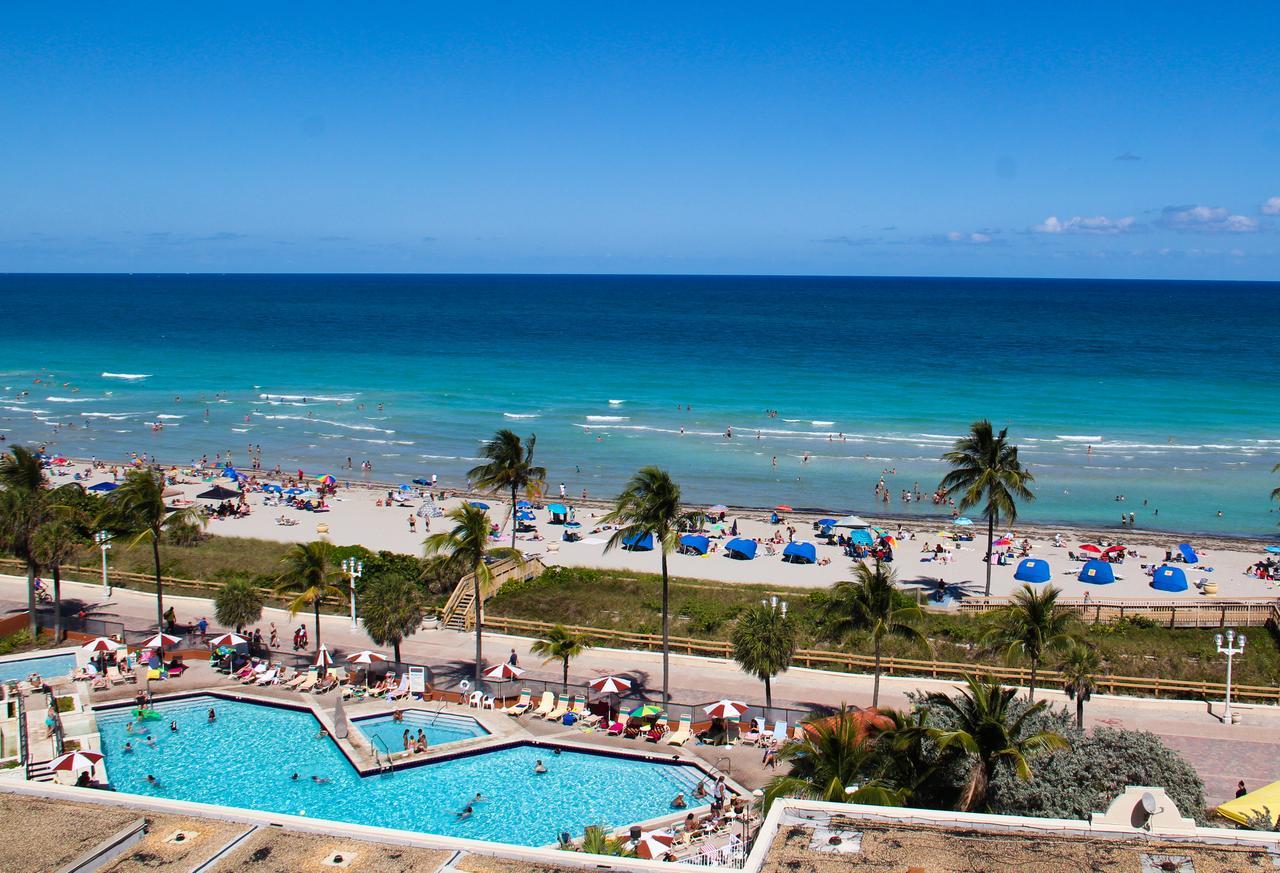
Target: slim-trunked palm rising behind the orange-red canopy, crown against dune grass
pixel 871 605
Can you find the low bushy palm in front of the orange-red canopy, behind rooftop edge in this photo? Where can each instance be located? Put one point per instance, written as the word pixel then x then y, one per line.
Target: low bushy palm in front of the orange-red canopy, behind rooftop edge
pixel 834 762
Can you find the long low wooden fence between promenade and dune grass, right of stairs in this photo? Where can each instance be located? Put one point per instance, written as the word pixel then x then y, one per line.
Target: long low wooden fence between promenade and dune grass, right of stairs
pixel 848 662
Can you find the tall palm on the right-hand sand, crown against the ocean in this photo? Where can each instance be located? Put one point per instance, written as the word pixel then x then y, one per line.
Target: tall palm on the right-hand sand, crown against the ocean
pixel 985 468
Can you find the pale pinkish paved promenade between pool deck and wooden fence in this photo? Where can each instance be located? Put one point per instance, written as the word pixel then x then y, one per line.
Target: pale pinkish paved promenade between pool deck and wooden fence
pixel 1222 753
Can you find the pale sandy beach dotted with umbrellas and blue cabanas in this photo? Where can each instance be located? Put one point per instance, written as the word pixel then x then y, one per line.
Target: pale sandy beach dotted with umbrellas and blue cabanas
pixel 356 518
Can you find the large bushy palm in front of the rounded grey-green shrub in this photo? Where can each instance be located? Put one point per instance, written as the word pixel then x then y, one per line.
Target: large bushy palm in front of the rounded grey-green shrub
pixel 986 730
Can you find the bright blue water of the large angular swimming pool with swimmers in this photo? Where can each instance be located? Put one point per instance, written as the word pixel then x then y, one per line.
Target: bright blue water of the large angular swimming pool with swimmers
pixel 248 760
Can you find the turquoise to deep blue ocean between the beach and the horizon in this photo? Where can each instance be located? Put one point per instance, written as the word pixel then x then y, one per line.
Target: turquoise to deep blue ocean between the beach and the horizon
pixel 1172 385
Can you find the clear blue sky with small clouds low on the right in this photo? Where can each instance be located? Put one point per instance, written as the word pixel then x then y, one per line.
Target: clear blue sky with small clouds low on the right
pixel 1094 140
